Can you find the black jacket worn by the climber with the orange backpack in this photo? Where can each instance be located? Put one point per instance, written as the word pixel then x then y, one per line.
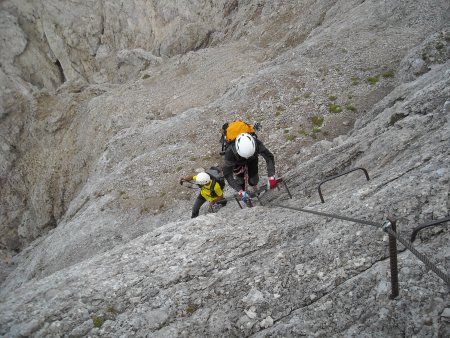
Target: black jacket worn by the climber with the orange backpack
pixel 232 160
